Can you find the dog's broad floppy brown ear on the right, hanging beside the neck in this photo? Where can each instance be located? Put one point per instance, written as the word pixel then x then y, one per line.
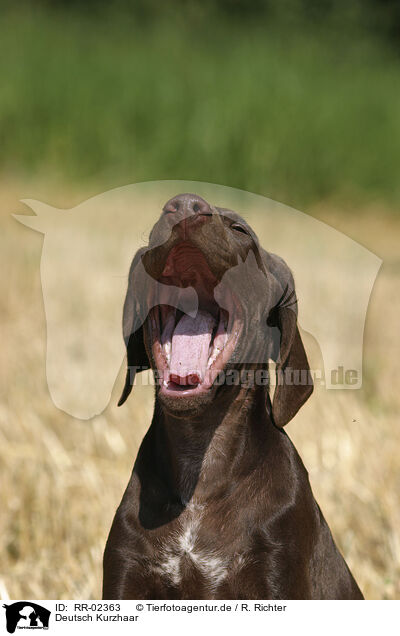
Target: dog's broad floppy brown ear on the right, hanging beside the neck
pixel 294 383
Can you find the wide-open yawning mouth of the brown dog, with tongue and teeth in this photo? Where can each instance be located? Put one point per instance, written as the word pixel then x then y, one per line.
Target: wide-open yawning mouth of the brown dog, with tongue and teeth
pixel 190 351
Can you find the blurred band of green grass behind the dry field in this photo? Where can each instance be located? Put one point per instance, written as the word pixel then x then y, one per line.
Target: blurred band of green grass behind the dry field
pixel 298 114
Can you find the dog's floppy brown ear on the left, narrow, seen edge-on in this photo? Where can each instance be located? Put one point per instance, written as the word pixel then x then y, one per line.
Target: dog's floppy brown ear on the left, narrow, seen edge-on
pixel 132 327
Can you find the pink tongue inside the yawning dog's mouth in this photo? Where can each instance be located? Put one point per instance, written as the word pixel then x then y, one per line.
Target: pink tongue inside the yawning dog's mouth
pixel 190 348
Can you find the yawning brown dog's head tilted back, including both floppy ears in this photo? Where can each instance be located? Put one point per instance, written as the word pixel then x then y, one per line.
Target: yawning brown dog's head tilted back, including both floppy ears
pixel 204 299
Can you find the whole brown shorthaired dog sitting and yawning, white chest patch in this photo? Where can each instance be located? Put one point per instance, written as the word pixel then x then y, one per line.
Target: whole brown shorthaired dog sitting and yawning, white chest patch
pixel 219 505
